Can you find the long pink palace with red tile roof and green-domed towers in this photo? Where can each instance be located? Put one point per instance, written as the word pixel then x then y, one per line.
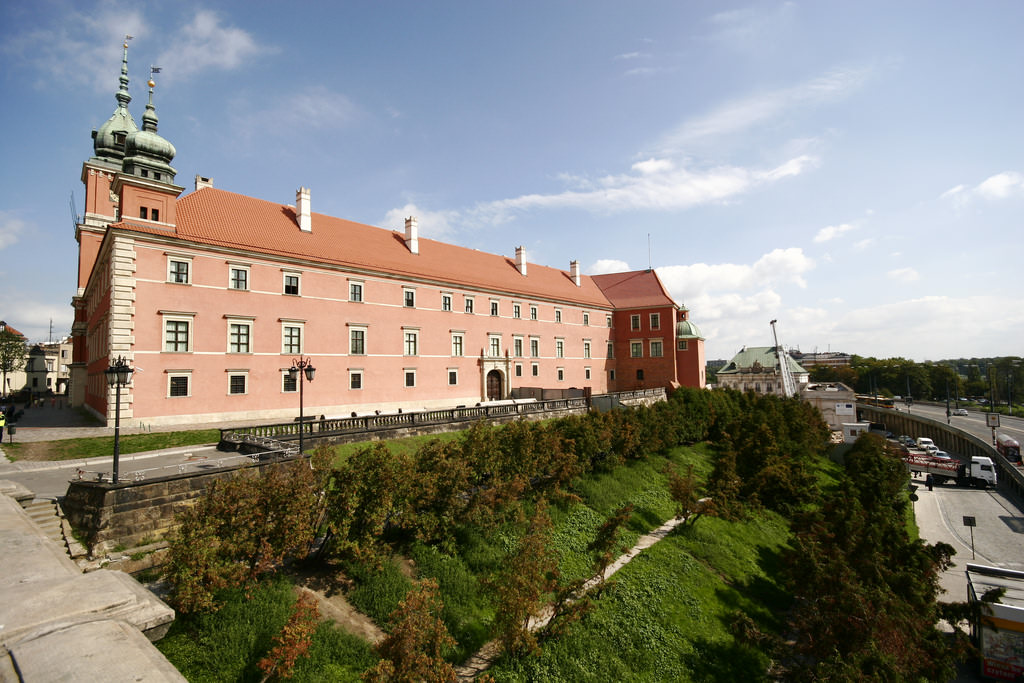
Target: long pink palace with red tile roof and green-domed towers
pixel 212 295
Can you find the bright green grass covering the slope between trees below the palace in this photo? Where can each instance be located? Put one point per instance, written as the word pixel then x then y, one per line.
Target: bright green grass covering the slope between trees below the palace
pixel 666 618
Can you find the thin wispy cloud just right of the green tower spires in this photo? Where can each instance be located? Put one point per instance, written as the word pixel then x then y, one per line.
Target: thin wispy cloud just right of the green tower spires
pixel 205 45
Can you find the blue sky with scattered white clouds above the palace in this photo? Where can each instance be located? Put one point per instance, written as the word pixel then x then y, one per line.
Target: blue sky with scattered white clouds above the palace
pixel 850 169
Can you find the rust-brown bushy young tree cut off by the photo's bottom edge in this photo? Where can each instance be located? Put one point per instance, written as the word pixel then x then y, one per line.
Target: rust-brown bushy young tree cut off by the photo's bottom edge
pixel 414 650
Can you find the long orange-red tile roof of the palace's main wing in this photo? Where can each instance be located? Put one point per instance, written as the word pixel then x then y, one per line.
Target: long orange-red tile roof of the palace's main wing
pixel 220 219
